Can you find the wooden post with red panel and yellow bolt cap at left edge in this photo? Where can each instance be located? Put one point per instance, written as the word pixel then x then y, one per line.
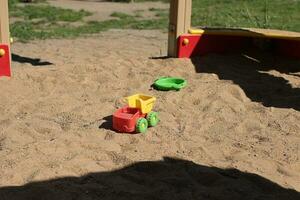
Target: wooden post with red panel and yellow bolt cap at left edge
pixel 5 56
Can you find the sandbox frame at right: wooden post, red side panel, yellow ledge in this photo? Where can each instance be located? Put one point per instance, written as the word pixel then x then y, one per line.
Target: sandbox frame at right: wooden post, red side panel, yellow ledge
pixel 185 41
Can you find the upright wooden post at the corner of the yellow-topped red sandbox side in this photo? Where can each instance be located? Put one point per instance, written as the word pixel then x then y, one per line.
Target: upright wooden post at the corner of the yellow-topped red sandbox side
pixel 179 23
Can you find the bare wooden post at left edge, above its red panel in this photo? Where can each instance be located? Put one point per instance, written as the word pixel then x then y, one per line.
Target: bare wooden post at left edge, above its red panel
pixel 4 23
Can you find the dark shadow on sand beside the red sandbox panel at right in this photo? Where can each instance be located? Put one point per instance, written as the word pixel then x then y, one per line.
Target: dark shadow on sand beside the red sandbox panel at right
pixel 250 72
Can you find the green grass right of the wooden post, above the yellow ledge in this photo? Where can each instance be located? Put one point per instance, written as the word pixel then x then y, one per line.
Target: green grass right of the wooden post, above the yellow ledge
pixel 275 14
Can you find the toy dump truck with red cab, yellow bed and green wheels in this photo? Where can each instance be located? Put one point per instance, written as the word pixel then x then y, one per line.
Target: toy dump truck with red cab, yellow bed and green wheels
pixel 137 115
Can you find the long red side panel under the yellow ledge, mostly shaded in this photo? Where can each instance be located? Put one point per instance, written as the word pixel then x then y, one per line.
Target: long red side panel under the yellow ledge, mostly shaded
pixel 192 45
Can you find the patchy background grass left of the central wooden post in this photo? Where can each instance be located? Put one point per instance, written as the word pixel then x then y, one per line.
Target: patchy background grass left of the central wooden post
pixel 42 21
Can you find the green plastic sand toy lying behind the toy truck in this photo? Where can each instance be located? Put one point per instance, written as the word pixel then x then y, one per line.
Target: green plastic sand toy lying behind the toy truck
pixel 169 83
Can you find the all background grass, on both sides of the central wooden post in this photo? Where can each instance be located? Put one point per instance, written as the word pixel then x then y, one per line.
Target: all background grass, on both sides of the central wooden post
pixel 42 21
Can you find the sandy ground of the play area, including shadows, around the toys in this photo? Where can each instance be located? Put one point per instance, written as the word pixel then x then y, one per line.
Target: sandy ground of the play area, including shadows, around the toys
pixel 232 133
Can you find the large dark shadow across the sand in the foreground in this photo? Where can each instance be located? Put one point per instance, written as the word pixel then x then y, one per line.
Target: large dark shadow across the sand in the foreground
pixel 167 179
